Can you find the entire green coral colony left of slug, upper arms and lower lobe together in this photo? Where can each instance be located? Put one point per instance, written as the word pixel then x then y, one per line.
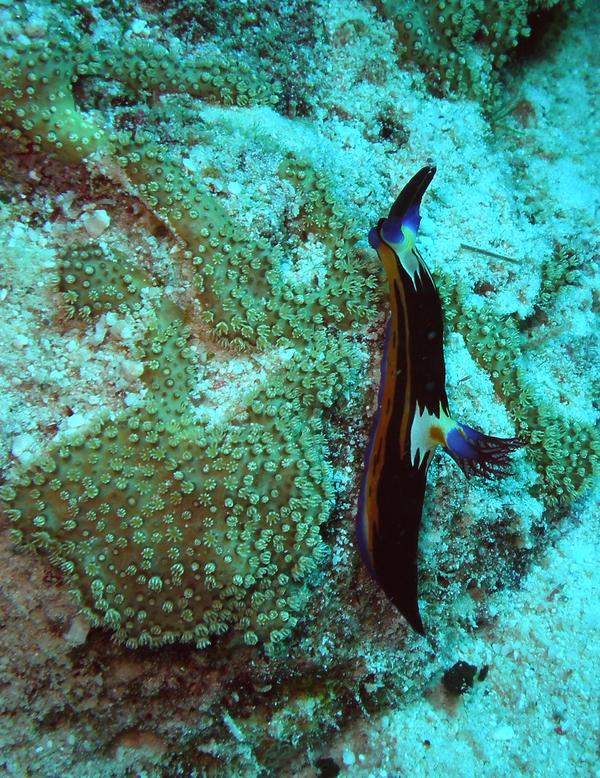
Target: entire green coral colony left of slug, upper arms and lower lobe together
pixel 168 529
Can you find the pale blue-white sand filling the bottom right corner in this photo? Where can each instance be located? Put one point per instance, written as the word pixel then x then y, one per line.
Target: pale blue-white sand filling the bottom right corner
pixel 536 712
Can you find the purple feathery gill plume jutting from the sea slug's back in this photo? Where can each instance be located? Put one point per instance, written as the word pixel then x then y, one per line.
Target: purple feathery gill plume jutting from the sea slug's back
pixel 479 454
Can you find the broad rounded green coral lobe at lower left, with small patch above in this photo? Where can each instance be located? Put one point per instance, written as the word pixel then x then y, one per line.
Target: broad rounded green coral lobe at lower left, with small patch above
pixel 169 531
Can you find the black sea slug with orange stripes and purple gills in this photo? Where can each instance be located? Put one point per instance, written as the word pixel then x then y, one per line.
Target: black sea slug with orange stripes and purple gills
pixel 412 417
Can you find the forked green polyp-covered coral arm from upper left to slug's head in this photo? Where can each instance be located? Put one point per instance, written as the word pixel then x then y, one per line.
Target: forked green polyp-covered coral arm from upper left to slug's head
pixel 245 296
